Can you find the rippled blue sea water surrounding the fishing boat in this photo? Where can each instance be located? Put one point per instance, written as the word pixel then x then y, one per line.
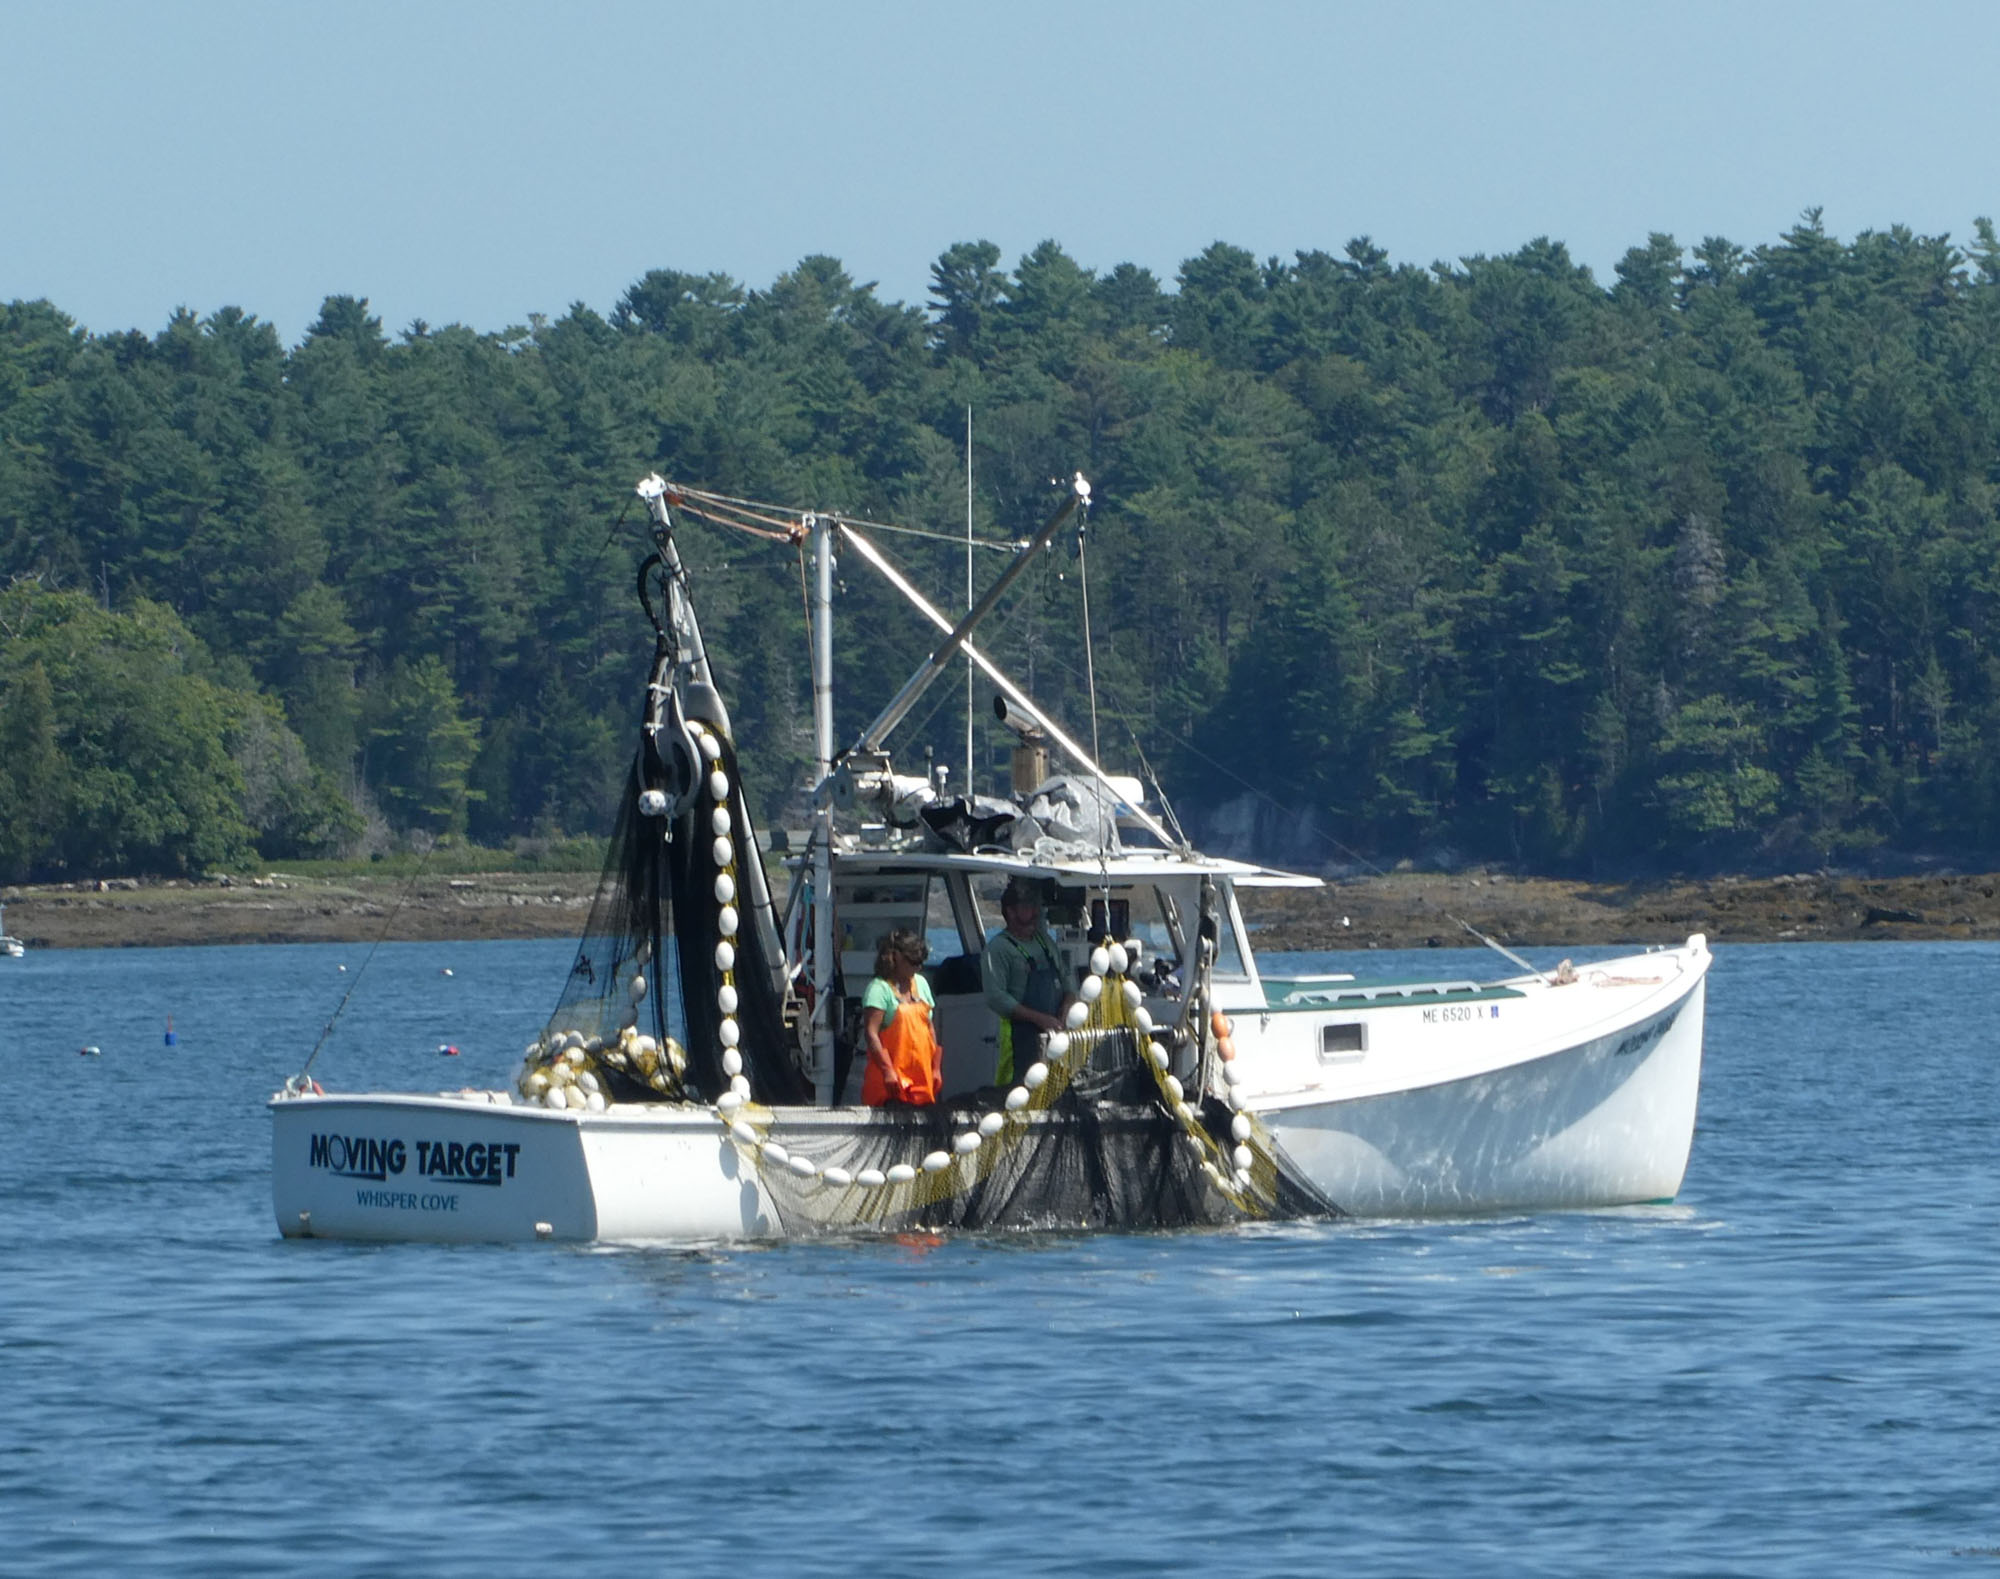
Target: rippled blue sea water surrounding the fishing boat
pixel 1793 1370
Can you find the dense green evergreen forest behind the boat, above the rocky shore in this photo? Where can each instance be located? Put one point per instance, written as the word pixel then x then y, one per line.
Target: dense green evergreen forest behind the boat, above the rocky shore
pixel 1691 569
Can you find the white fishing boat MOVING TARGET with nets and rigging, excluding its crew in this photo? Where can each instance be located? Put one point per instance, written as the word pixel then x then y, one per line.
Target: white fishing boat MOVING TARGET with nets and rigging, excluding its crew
pixel 699 1076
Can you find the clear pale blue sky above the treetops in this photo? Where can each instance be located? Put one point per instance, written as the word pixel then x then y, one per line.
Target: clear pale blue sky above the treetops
pixel 477 163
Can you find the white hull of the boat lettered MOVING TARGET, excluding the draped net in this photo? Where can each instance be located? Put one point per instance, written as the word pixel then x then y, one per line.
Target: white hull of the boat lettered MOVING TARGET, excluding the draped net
pixel 1555 1098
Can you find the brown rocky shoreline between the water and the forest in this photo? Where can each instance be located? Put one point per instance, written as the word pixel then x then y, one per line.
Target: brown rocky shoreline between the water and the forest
pixel 1399 910
